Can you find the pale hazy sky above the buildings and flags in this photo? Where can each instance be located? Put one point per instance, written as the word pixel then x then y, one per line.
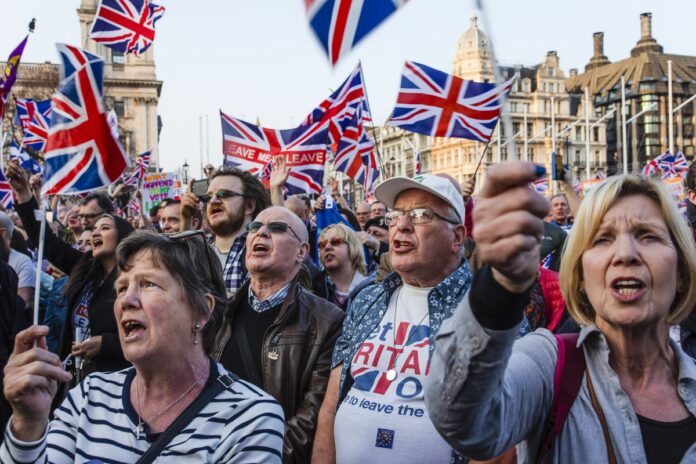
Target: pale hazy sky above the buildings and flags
pixel 258 58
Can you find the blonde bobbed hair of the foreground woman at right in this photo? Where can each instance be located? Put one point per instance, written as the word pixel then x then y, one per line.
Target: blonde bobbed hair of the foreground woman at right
pixel 588 221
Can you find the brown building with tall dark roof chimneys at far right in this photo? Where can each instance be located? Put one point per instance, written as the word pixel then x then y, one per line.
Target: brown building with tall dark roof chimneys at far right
pixel 646 83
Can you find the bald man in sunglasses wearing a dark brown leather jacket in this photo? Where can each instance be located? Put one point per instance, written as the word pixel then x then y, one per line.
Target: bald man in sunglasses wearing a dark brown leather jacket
pixel 278 335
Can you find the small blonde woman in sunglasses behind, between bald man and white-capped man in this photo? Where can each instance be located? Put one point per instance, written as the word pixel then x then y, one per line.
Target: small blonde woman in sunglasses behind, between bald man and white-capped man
pixel 343 258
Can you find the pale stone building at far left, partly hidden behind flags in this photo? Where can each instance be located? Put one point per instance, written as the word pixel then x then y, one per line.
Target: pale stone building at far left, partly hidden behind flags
pixel 131 88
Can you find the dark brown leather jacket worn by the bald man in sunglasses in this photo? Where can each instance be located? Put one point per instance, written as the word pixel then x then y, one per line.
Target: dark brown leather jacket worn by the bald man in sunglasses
pixel 295 361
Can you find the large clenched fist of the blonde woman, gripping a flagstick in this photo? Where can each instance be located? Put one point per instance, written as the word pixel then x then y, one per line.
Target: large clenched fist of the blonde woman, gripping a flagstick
pixel 509 224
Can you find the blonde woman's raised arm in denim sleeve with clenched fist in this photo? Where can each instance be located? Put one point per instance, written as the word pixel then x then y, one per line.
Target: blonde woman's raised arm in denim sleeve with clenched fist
pixel 483 394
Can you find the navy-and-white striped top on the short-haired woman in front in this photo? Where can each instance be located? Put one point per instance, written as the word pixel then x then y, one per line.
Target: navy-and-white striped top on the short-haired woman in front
pixel 97 423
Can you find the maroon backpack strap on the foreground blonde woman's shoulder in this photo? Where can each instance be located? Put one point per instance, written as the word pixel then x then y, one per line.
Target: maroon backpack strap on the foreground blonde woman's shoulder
pixel 567 379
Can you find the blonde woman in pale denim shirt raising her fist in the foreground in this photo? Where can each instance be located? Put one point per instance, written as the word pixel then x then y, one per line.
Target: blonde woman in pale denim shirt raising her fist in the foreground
pixel 628 274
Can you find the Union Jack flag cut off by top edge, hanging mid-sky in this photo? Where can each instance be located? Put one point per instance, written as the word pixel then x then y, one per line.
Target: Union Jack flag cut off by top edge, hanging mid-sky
pixel 341 24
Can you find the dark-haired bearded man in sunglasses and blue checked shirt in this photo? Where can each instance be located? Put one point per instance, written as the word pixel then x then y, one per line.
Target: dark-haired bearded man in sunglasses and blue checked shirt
pixel 234 197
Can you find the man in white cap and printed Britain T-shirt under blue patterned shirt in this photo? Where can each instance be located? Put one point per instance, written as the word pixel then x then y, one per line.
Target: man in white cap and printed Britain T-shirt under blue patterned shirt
pixel 374 409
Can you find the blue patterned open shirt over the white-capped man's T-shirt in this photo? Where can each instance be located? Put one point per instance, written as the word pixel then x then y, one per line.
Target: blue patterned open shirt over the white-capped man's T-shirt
pixel 369 307
